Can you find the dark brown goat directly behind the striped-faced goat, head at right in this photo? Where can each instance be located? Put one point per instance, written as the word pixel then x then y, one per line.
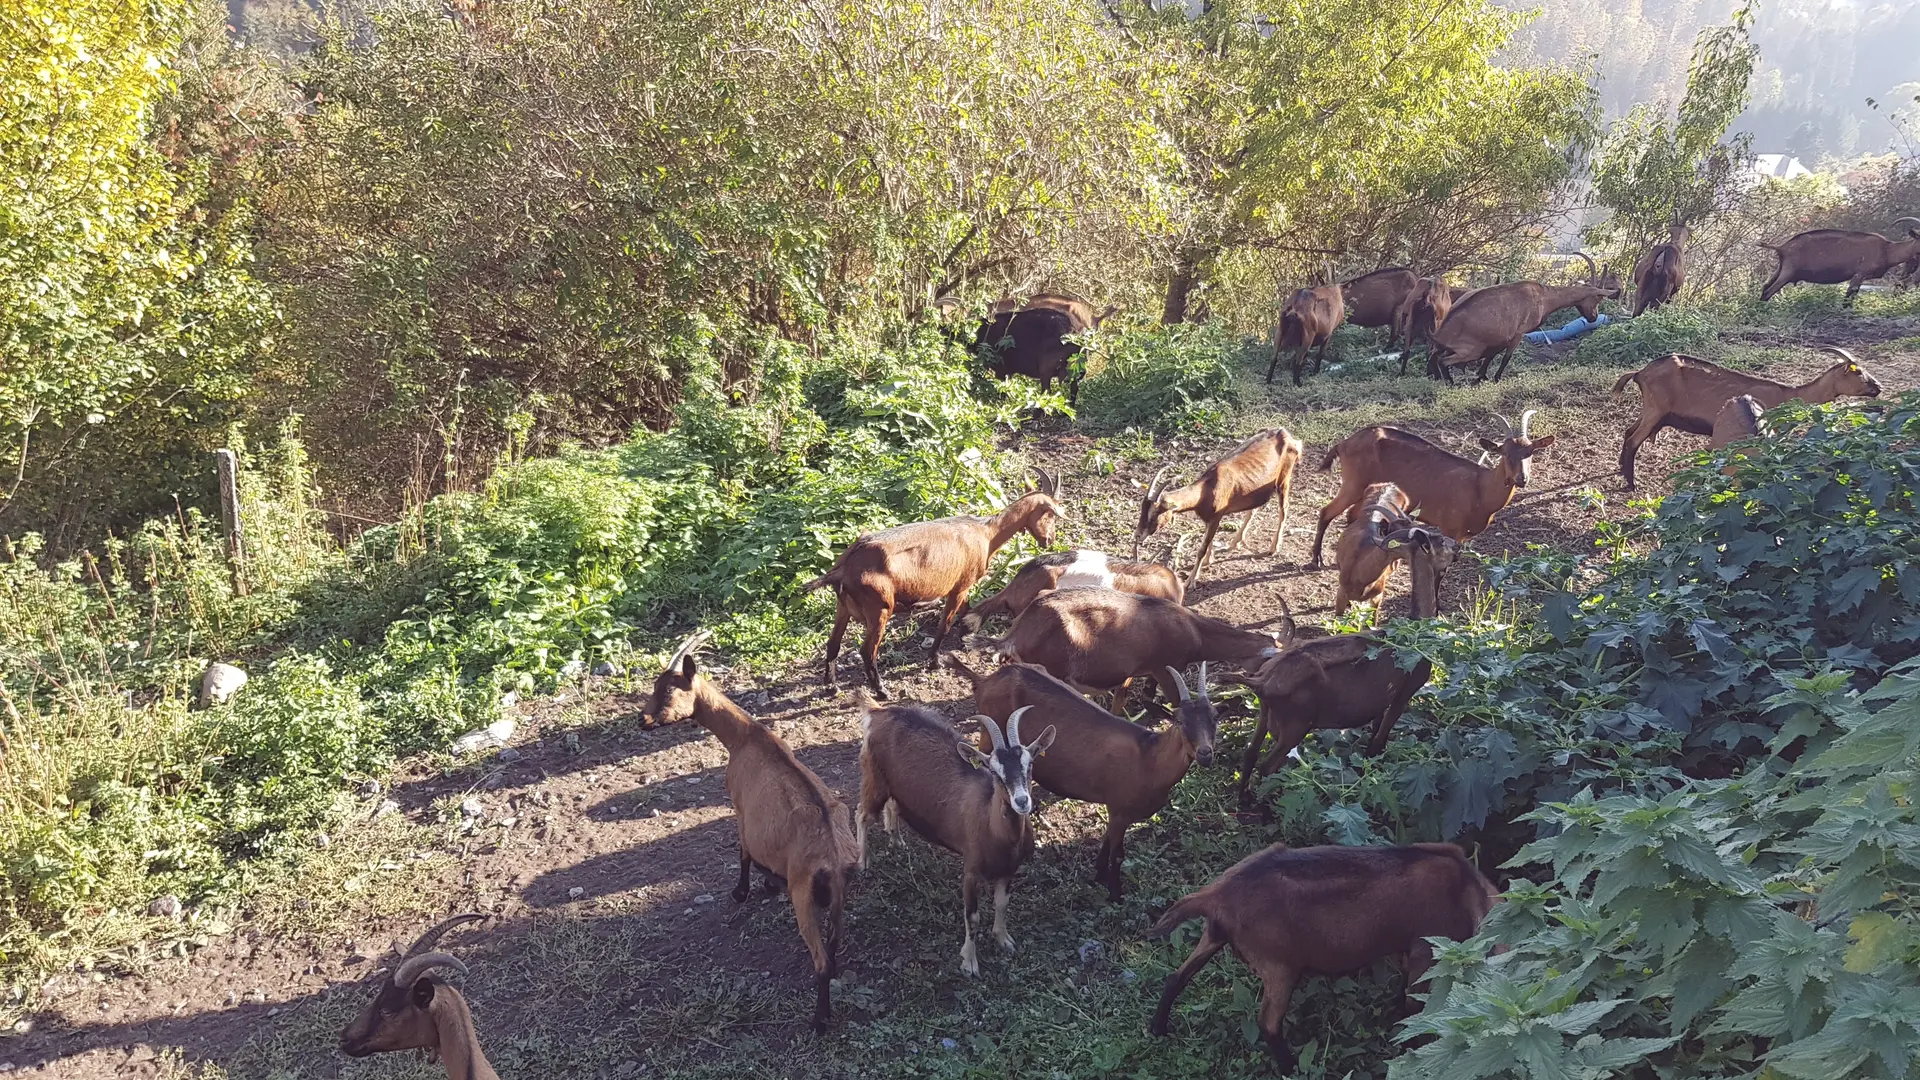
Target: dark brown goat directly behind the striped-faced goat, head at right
pixel 1103 758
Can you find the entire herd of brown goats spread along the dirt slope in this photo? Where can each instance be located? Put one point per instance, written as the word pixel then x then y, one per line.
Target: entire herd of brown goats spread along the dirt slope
pixel 1086 624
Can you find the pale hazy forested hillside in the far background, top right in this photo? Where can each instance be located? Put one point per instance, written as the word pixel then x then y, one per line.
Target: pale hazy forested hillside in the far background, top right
pixel 1821 61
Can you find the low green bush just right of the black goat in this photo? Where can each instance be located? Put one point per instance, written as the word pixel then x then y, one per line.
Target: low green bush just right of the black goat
pixel 1164 380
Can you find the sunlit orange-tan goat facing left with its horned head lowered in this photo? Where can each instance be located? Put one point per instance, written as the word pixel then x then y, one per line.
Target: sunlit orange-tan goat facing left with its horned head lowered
pixel 1245 479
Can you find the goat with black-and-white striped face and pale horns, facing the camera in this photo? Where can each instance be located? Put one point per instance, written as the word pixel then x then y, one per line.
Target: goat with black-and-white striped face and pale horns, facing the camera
pixel 969 802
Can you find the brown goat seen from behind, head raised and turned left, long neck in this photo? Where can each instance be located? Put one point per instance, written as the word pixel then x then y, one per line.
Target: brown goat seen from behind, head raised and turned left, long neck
pixel 790 823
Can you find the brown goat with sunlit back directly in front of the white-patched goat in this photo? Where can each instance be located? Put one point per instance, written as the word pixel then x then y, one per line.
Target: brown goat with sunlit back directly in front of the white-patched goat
pixel 1099 639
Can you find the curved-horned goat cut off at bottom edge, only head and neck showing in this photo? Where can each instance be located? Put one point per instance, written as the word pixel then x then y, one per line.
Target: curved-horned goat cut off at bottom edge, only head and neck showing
pixel 416 1010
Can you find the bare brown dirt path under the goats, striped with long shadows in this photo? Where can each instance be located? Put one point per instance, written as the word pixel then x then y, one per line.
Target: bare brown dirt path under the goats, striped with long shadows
pixel 606 852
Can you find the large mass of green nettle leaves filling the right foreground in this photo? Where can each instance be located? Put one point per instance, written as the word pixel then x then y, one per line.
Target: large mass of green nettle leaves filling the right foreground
pixel 1739 895
